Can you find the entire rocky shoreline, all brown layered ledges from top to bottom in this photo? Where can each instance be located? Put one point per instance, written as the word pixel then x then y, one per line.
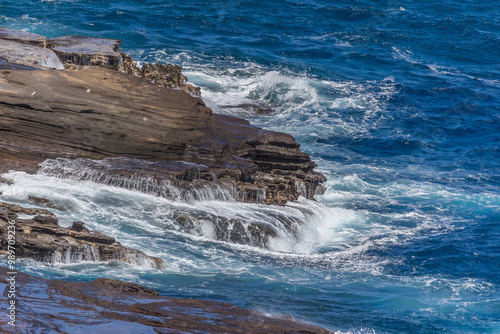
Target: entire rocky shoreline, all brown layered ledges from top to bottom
pixel 77 107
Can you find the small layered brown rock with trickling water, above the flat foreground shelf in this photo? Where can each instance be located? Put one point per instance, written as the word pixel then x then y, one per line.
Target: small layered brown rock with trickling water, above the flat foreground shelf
pixel 41 238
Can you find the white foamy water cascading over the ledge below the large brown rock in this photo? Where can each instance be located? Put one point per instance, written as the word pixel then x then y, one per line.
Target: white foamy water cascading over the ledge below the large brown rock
pixel 140 219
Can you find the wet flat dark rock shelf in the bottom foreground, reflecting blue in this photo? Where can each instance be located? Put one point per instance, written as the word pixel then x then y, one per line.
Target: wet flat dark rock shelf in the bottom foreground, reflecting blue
pixel 97 306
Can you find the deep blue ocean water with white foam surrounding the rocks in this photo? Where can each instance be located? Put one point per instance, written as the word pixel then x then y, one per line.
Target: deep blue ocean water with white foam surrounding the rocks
pixel 398 104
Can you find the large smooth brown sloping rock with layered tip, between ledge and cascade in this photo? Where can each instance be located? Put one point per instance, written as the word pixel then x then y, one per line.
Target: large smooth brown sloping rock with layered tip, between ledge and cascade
pixel 172 136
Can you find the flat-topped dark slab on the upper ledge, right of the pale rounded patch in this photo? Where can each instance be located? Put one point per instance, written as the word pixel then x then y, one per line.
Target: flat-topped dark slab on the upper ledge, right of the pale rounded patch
pixel 78 52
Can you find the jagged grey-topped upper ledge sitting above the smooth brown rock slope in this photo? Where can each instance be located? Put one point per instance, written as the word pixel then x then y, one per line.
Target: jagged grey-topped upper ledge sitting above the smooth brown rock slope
pixel 25 50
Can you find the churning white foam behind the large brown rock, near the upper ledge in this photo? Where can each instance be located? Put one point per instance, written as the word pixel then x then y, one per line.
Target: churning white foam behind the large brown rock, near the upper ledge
pixel 301 103
